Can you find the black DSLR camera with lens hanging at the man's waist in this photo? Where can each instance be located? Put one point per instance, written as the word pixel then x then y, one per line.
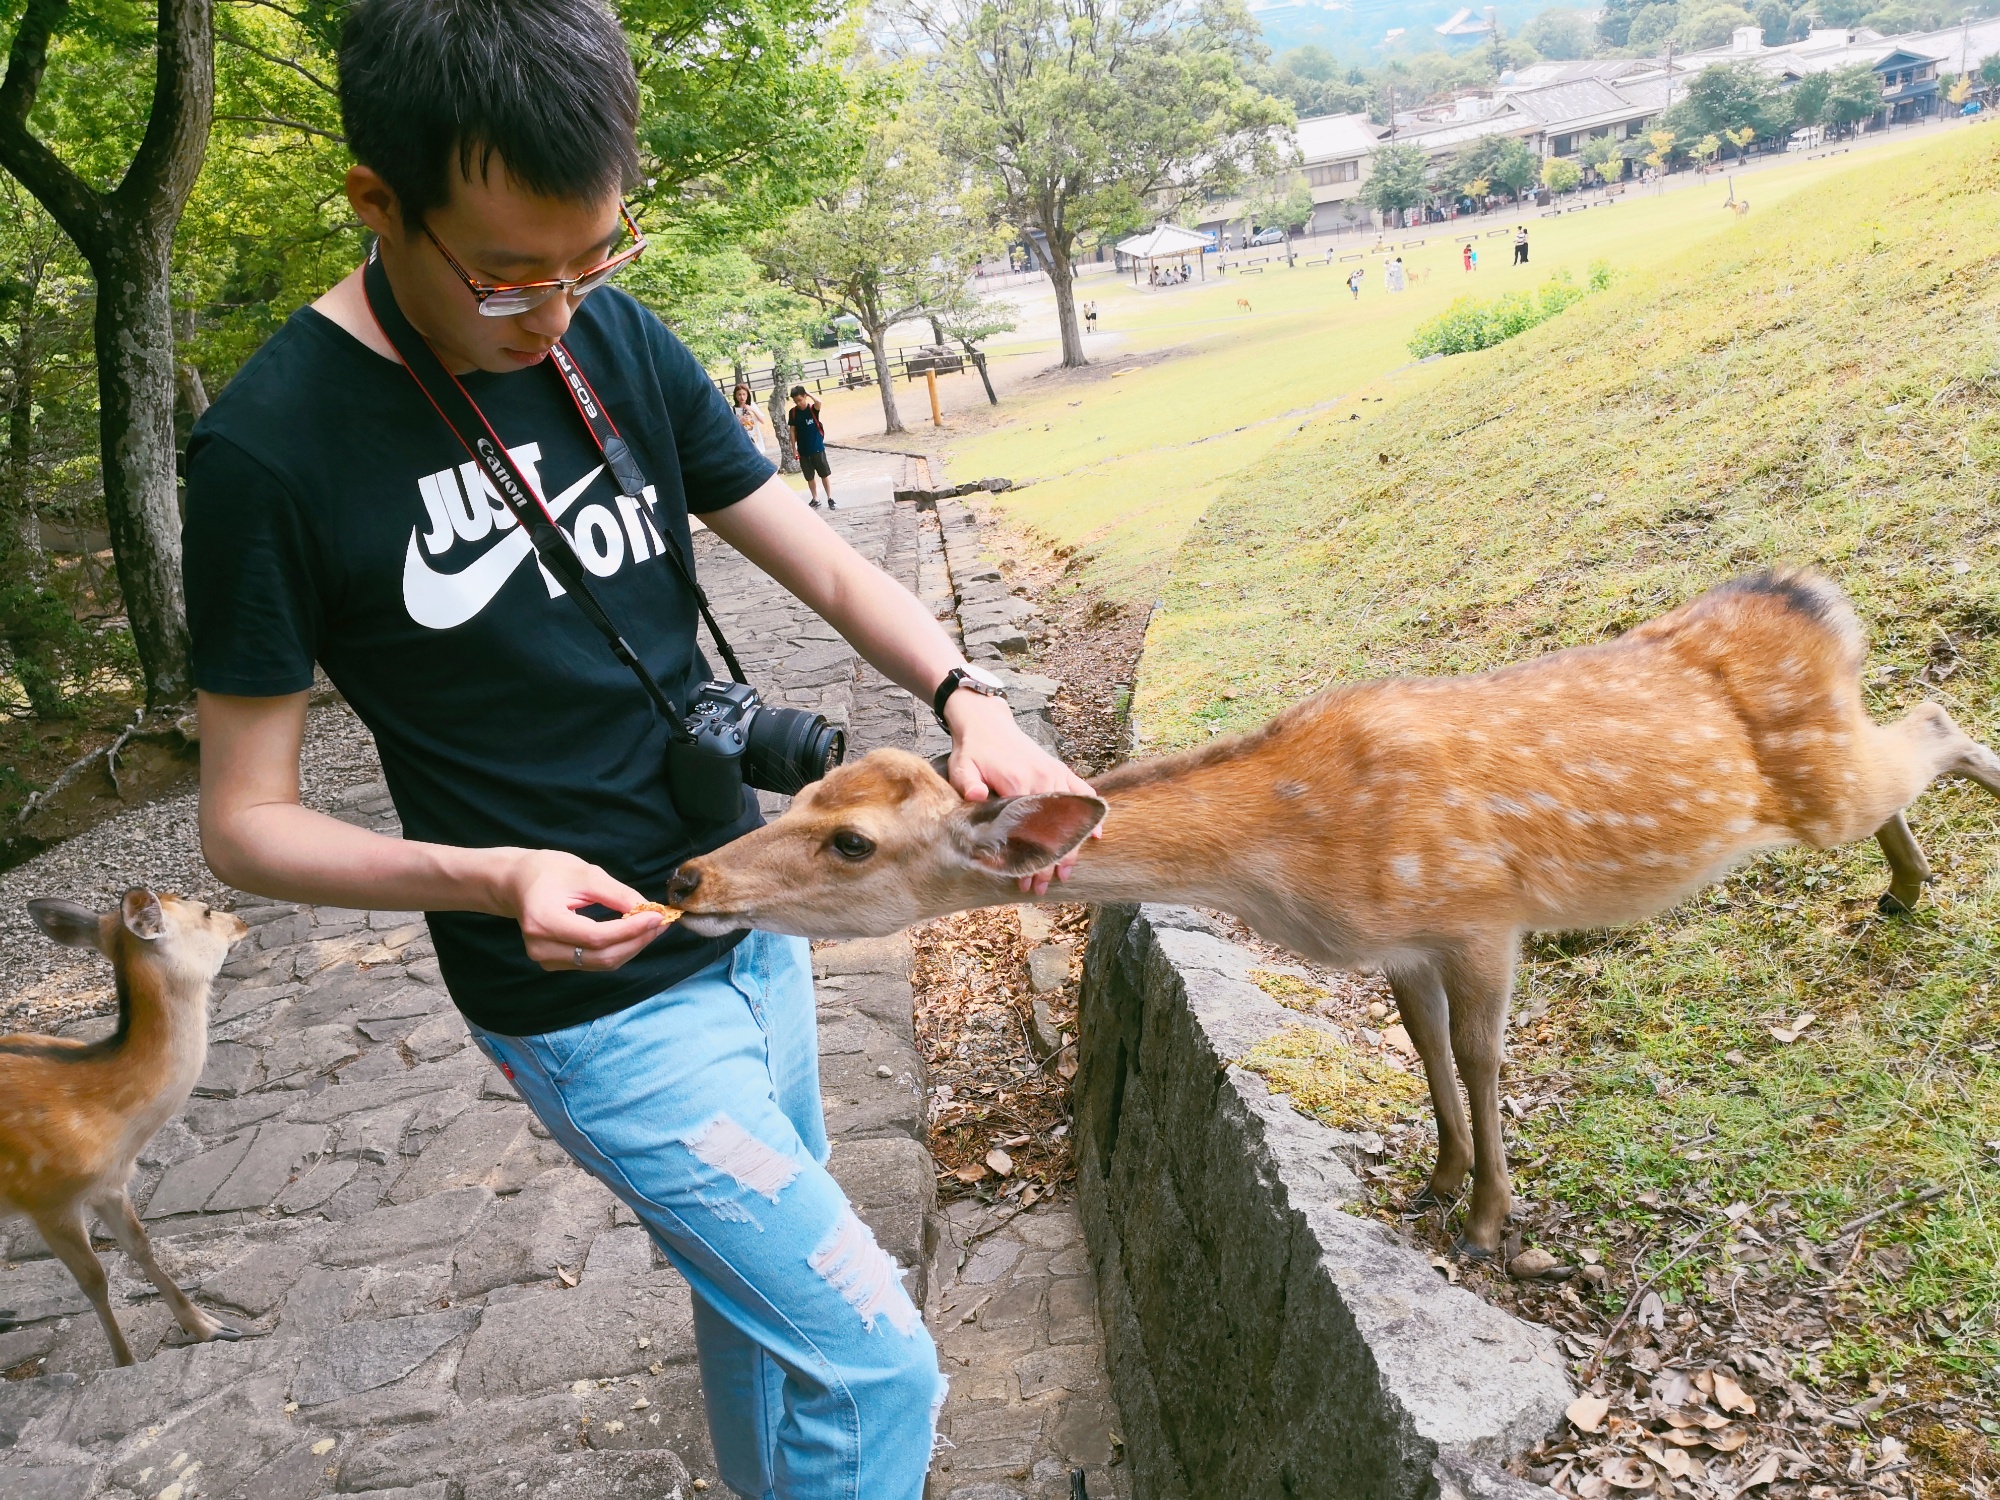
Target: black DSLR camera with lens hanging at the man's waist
pixel 737 739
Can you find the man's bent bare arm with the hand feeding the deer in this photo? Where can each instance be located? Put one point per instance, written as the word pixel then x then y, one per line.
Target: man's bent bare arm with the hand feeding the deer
pixel 257 837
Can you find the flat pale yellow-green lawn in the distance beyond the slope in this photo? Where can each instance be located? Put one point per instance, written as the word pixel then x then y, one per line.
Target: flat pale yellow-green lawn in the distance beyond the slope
pixel 1125 465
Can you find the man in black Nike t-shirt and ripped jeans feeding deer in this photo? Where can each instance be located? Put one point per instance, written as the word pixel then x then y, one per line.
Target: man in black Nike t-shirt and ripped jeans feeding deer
pixel 335 517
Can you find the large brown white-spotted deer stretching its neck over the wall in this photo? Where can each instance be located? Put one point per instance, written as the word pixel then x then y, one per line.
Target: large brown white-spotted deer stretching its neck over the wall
pixel 1419 827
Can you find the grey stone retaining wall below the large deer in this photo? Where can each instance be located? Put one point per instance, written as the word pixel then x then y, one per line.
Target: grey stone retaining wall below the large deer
pixel 1265 1343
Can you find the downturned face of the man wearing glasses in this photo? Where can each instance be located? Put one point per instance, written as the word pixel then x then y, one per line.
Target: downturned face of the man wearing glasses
pixel 501 235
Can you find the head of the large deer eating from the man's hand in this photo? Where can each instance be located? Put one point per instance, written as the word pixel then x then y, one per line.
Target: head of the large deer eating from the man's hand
pixel 879 845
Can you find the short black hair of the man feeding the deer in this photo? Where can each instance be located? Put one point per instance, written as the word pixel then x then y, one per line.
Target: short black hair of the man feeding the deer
pixel 429 87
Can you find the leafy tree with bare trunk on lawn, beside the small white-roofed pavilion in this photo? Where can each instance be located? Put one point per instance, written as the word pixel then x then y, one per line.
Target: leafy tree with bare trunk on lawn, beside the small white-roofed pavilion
pixel 1085 117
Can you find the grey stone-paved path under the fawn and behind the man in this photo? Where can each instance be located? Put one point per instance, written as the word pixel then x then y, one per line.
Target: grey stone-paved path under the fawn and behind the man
pixel 441 1307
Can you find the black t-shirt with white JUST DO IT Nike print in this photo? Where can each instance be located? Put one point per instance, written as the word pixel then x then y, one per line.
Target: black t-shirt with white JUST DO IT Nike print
pixel 333 517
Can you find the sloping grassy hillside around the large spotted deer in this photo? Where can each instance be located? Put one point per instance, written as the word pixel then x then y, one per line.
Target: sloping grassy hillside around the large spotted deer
pixel 1817 387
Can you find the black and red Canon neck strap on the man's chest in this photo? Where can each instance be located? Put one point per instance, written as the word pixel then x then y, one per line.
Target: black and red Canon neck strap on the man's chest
pixel 455 405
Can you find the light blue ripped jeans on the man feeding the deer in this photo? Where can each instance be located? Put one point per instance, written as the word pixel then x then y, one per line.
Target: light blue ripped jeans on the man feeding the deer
pixel 701 1109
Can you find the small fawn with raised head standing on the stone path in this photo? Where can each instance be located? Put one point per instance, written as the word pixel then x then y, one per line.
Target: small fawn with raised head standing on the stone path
pixel 77 1115
